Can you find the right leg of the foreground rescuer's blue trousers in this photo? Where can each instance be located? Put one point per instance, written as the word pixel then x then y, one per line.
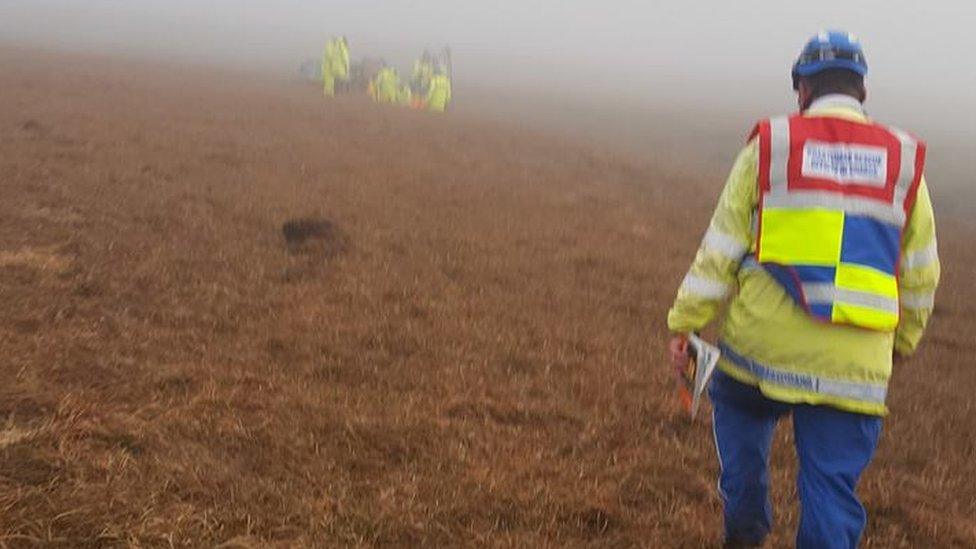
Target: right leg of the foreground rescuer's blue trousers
pixel 833 448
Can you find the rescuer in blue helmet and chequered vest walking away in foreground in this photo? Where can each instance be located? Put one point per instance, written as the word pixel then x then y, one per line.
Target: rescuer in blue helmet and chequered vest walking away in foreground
pixel 826 227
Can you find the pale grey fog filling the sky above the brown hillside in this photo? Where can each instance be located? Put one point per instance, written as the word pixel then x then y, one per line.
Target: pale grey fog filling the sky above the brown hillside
pixel 679 56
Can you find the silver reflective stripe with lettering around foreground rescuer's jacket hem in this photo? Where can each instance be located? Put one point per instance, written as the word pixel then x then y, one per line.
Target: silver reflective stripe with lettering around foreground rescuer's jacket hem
pixel 865 392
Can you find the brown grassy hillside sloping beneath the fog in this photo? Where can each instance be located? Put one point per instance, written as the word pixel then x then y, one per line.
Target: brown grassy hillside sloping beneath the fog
pixel 479 362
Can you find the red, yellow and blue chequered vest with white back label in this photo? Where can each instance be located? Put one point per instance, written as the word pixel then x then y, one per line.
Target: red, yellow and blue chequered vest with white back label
pixel 834 197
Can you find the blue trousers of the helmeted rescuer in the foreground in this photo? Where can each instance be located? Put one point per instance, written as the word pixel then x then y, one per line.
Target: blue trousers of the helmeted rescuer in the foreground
pixel 833 448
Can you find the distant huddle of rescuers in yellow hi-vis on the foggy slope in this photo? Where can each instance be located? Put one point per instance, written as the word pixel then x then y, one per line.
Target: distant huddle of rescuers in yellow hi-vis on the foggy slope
pixel 428 88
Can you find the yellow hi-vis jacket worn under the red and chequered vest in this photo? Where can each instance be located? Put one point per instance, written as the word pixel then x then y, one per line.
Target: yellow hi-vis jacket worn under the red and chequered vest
pixel 772 343
